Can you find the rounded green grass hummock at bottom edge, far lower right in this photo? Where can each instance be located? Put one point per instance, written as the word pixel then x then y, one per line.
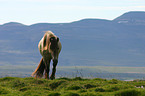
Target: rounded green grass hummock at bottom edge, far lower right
pixel 128 92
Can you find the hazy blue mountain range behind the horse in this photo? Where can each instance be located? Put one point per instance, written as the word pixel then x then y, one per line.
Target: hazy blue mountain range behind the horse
pixel 88 42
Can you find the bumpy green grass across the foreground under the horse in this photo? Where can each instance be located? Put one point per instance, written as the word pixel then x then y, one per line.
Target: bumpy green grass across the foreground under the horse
pixel 14 86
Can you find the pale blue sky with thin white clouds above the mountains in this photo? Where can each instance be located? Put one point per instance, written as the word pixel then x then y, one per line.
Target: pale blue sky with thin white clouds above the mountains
pixel 63 11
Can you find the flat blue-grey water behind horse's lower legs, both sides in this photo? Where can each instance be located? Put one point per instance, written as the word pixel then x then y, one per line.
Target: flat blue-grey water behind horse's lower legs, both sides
pixel 70 74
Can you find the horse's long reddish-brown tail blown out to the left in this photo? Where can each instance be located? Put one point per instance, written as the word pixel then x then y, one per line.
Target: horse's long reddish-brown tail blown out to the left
pixel 39 70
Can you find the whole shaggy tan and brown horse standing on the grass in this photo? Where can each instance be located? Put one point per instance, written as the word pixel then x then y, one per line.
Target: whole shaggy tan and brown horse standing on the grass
pixel 49 47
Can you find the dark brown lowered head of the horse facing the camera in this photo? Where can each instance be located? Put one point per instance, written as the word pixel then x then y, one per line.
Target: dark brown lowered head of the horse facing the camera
pixel 54 48
